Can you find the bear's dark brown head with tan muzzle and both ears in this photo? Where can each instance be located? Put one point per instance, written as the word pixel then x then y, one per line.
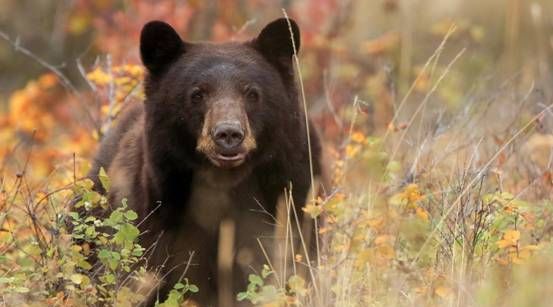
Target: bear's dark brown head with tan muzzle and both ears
pixel 219 104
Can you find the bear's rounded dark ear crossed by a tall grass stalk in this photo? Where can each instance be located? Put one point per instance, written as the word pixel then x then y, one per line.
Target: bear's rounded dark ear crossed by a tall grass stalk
pixel 276 44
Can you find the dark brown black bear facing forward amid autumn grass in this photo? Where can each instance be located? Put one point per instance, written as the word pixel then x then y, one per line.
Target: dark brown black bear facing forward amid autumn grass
pixel 221 134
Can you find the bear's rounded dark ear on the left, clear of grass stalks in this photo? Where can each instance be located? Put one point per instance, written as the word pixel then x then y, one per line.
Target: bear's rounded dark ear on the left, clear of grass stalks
pixel 160 45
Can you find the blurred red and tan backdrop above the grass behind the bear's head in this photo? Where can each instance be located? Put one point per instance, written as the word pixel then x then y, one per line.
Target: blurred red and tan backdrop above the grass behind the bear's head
pixel 373 49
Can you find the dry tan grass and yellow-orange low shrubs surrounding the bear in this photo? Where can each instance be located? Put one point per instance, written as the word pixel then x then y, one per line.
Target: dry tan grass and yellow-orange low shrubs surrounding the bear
pixel 449 205
